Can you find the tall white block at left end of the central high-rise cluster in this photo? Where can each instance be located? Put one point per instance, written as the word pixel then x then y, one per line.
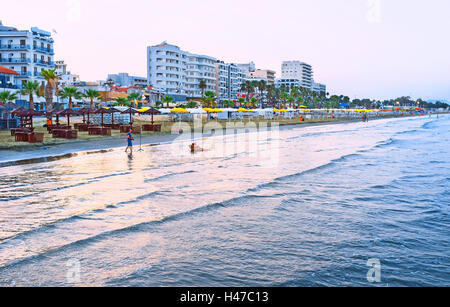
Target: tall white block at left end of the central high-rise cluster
pixel 166 69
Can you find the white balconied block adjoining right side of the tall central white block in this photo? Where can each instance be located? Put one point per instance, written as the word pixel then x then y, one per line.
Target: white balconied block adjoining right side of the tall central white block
pixel 200 68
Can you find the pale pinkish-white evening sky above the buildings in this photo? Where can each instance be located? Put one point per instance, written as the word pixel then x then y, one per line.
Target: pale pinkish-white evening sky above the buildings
pixel 376 49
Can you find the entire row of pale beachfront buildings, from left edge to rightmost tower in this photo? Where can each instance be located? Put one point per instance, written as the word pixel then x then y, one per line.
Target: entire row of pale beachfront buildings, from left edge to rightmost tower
pixel 170 70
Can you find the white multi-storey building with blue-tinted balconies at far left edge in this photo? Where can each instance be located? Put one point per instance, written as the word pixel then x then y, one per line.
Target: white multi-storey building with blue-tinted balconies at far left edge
pixel 26 51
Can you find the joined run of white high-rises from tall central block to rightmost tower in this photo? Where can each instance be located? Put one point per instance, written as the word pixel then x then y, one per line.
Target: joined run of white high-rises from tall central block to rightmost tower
pixel 182 74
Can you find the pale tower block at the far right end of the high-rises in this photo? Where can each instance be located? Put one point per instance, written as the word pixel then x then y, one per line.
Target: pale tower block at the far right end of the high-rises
pixel 298 73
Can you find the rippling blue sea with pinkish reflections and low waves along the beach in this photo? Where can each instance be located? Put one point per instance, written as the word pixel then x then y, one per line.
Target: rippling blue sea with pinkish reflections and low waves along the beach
pixel 334 197
